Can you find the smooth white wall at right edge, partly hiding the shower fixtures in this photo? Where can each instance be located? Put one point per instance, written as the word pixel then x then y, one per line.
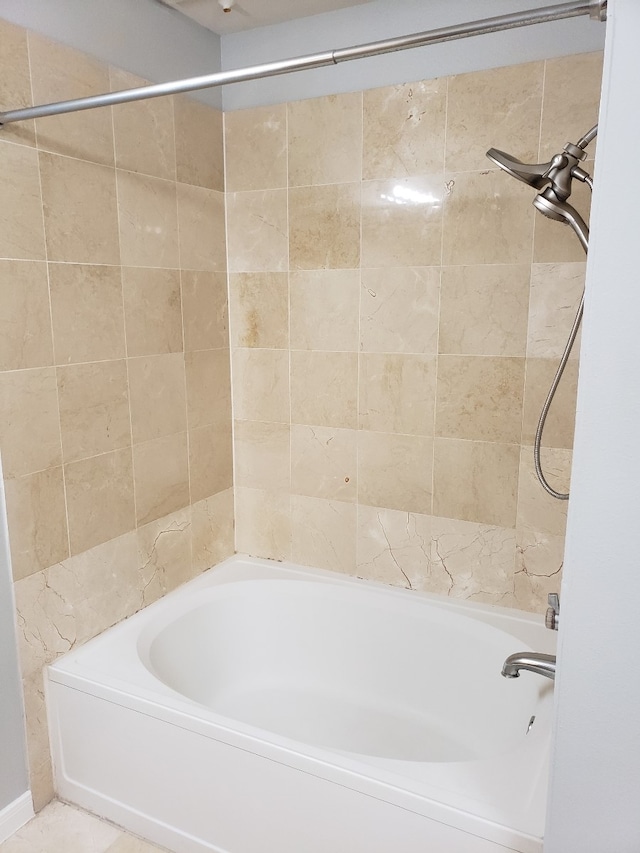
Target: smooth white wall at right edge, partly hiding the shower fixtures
pixel 595 788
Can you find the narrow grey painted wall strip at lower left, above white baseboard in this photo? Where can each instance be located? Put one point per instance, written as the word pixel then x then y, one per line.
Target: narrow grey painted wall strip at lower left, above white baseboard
pixel 14 780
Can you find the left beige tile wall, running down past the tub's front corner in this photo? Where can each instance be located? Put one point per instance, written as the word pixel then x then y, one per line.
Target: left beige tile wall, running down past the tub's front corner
pixel 115 404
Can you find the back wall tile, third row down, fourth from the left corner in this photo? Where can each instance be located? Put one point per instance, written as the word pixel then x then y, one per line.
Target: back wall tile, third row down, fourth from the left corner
pixel 484 309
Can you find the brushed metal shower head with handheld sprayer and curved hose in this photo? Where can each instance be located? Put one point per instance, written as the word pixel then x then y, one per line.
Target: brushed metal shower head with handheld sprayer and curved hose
pixel 553 180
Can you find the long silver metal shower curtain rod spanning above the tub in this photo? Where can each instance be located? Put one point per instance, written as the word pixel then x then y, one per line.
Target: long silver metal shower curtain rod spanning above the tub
pixel 596 9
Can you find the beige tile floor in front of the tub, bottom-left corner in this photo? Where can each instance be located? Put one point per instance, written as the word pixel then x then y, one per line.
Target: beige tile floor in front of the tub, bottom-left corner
pixel 59 828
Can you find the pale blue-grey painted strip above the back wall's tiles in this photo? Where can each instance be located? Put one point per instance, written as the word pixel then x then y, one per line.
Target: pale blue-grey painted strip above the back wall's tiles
pixel 386 19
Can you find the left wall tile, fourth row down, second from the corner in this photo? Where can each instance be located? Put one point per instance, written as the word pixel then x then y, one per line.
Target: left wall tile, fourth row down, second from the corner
pixel 157 396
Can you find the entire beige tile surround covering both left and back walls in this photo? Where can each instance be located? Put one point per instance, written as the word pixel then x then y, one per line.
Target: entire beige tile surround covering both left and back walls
pixel 396 315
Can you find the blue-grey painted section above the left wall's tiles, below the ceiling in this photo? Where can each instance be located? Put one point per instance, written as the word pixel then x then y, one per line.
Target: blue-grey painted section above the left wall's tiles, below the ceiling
pixel 141 36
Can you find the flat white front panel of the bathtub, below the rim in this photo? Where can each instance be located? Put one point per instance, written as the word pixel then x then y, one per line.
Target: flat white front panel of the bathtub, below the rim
pixel 193 793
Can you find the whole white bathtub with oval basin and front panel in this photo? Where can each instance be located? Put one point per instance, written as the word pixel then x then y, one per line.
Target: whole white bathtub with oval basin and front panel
pixel 269 708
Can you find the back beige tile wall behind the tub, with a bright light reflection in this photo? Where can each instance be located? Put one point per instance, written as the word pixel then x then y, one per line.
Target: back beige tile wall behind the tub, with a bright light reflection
pixel 397 313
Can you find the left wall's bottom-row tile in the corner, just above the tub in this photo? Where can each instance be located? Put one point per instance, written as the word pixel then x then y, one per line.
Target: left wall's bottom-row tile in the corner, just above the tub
pixel 213 530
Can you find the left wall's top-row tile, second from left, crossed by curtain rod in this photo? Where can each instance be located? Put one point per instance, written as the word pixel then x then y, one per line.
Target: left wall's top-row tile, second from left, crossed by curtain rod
pixel 60 73
